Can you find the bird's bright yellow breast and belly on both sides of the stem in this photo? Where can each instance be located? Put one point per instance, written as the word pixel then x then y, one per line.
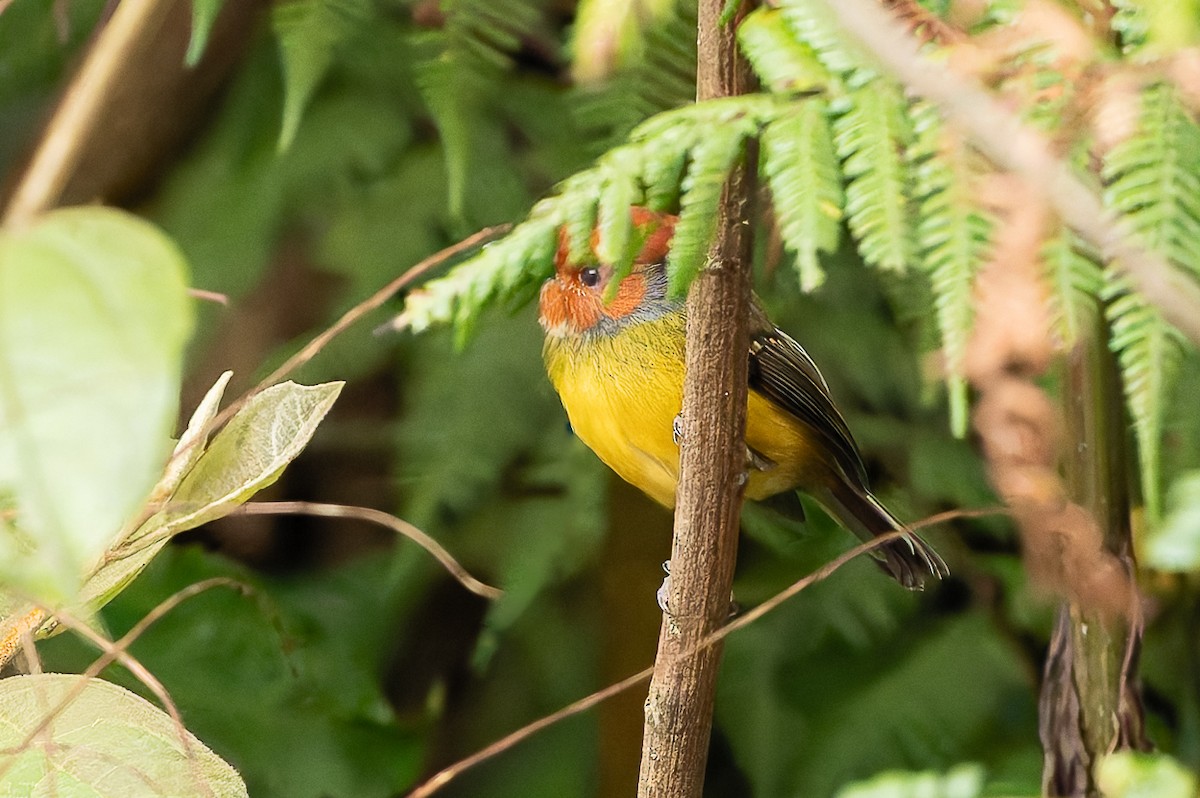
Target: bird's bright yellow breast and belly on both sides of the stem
pixel 622 394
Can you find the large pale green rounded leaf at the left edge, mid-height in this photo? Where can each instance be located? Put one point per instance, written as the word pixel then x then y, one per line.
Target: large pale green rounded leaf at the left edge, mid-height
pixel 94 316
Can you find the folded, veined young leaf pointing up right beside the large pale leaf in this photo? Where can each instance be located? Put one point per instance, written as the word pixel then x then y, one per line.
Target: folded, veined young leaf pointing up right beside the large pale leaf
pixel 247 457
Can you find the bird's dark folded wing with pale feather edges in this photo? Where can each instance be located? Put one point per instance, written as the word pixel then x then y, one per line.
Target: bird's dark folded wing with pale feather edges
pixel 782 371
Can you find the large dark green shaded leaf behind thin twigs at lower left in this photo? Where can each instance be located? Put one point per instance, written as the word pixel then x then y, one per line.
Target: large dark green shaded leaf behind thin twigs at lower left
pixel 285 683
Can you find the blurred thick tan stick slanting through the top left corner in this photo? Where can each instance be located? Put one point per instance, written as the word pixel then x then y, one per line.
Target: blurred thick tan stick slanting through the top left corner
pixel 71 127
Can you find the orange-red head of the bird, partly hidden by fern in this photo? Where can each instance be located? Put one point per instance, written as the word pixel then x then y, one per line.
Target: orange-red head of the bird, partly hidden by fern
pixel 574 301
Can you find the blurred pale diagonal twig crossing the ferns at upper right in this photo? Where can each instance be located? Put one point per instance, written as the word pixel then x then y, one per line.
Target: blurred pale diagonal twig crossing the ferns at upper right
pixel 1016 147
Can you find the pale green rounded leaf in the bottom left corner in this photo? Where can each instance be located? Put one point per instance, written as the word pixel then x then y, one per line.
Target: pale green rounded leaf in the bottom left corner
pixel 106 743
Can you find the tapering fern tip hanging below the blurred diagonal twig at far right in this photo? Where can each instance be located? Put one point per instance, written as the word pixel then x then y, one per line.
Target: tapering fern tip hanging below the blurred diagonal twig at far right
pixel 1149 351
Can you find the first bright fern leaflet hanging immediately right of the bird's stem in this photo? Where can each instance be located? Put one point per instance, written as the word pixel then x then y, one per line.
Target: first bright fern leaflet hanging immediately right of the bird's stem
pixel 805 177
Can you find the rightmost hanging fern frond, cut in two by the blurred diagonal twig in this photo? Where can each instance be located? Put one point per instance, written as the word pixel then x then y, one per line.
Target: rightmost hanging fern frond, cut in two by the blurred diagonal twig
pixel 1154 182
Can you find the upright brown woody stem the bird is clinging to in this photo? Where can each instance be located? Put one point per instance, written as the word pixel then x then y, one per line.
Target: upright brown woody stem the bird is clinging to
pixel 709 502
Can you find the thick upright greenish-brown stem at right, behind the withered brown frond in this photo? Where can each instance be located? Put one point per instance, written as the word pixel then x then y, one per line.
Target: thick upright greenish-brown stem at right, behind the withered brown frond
pixel 1090 704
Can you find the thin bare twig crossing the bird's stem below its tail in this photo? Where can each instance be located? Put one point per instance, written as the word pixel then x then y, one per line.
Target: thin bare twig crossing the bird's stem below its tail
pixel 447 775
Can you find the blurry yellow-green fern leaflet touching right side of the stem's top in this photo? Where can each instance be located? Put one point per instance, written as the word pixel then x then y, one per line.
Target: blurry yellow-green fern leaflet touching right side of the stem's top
pixel 779 58
